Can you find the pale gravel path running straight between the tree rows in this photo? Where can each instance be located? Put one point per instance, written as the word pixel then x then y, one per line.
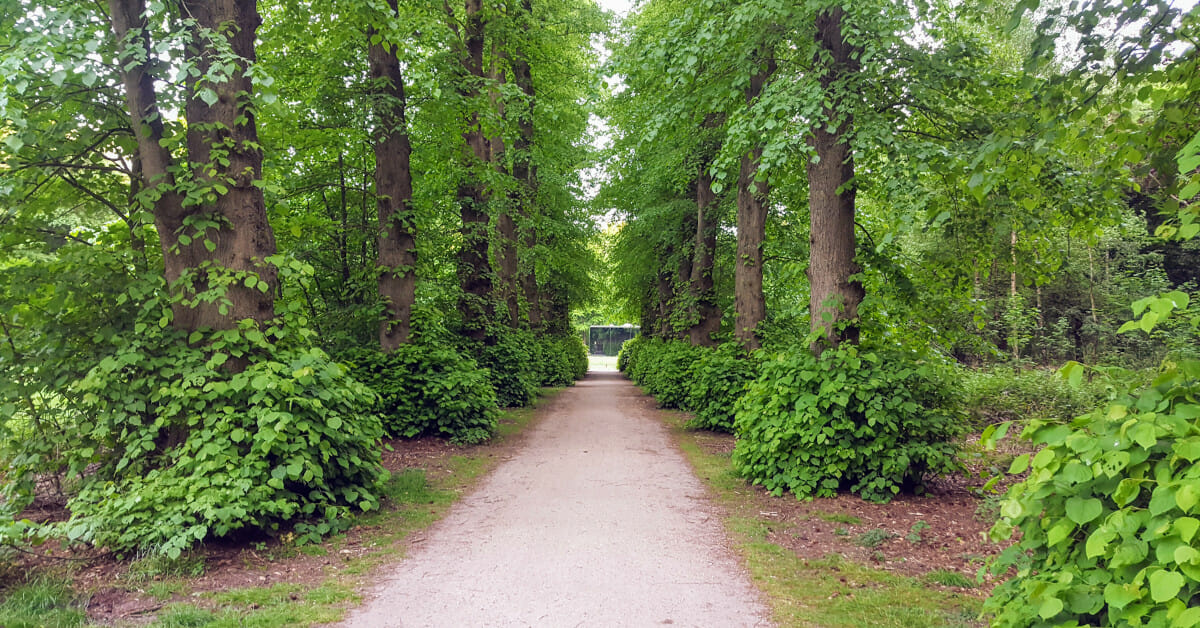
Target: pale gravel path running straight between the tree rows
pixel 597 522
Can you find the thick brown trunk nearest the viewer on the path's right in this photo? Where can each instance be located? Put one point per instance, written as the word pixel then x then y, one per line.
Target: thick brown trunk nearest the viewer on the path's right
pixel 833 297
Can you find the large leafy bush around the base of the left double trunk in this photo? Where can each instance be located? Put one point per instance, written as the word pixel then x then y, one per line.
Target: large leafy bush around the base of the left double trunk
pixel 179 447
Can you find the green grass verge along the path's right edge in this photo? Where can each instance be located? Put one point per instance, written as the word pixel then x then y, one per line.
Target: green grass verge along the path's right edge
pixel 829 593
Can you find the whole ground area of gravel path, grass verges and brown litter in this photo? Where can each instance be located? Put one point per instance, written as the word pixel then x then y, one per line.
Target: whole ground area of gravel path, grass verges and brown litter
pixel 825 563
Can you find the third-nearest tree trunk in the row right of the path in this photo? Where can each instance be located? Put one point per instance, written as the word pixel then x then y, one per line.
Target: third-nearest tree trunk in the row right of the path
pixel 709 314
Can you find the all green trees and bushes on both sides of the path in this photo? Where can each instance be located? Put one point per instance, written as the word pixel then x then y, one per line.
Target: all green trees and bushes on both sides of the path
pixel 244 242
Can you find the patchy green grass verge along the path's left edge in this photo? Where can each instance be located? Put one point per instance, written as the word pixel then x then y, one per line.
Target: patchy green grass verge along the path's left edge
pixel 412 503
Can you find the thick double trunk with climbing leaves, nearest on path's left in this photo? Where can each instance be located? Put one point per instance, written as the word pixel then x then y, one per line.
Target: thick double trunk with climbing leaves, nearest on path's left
pixel 223 142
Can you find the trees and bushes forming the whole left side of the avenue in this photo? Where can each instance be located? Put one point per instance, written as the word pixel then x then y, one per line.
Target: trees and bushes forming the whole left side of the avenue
pixel 247 241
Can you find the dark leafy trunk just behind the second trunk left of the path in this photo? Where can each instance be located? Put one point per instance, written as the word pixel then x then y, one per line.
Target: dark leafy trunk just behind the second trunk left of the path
pixel 476 304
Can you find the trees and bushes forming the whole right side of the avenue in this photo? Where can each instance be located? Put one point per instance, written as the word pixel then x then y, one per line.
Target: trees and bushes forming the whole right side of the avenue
pixel 917 207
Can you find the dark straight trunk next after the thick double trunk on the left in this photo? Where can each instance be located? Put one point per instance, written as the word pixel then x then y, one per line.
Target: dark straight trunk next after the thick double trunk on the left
pixel 394 190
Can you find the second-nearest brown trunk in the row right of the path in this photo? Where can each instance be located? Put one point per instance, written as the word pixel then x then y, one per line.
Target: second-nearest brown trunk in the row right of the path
pixel 751 306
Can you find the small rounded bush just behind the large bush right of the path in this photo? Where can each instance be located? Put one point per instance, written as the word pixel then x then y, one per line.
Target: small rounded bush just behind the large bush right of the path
pixel 718 381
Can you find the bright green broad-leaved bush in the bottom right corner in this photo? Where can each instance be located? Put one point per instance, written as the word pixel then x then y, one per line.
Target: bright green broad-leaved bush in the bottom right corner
pixel 1109 516
